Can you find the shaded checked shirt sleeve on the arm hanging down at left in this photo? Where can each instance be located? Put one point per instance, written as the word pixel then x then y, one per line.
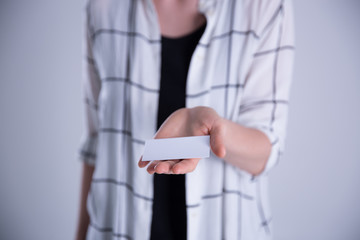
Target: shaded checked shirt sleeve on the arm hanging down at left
pixel 91 85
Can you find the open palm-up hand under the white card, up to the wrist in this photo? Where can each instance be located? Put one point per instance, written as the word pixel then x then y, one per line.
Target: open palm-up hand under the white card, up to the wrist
pixel 188 122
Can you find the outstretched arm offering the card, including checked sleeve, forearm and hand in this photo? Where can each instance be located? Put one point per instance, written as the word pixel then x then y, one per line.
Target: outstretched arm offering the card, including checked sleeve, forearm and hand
pixel 255 141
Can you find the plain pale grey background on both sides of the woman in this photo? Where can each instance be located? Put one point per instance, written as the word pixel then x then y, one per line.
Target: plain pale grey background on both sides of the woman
pixel 315 189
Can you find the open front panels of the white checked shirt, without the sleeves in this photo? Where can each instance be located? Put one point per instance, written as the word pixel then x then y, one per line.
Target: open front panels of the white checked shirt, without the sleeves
pixel 127 54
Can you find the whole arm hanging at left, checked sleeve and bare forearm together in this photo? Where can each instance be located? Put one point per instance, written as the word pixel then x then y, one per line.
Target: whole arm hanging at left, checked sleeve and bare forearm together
pixel 91 85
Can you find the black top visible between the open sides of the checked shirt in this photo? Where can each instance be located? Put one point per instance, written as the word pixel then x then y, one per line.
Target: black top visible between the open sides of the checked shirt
pixel 169 207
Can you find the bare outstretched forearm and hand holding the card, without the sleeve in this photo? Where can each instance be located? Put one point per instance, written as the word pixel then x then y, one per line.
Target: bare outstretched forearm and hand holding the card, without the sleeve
pixel 246 148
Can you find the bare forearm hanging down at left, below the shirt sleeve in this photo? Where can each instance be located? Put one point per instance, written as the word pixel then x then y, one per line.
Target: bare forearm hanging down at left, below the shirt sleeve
pixel 83 221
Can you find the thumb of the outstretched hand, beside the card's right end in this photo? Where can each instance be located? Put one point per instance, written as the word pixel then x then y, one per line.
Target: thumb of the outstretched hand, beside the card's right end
pixel 217 137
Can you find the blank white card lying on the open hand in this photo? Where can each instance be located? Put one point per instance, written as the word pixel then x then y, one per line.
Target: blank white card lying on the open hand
pixel 177 148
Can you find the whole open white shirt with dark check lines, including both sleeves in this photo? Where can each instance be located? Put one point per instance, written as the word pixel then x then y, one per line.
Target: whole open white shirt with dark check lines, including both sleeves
pixel 242 68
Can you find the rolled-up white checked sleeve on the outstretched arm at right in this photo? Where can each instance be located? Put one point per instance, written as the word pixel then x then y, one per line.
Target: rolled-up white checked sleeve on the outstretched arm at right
pixel 265 99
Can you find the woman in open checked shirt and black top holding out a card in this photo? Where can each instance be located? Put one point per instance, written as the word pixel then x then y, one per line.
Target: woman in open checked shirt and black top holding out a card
pixel 218 68
